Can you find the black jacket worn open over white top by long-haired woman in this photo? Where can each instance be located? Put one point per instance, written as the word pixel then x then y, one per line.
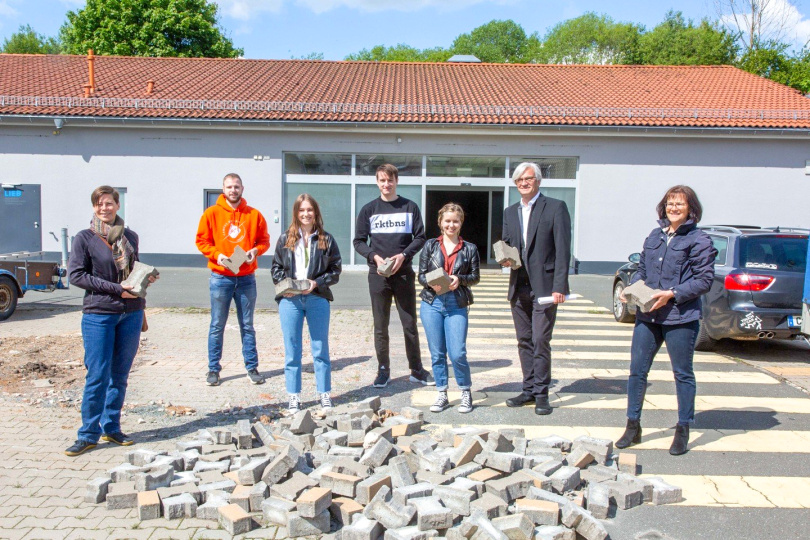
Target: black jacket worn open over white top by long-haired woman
pixel 324 265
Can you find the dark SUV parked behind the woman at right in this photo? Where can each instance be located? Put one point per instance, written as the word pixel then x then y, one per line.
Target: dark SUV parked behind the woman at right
pixel 757 288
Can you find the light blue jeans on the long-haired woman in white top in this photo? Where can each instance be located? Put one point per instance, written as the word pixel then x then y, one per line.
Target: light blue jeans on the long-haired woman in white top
pixel 292 312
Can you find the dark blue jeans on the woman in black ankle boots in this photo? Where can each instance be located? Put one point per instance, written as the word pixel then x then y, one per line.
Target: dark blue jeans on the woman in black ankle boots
pixel 680 340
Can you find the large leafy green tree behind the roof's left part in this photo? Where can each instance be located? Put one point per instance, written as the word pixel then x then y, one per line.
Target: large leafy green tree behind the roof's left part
pixel 186 28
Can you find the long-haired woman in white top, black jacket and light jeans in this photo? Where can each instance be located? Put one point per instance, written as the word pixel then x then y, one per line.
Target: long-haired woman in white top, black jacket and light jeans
pixel 306 252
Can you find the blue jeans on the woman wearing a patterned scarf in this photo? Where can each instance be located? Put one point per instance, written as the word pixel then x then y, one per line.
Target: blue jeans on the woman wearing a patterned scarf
pixel 110 345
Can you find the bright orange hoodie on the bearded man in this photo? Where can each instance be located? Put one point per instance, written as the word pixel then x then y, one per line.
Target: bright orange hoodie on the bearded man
pixel 222 228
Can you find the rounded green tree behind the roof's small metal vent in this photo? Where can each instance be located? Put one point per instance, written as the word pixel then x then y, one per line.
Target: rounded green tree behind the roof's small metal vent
pixel 496 41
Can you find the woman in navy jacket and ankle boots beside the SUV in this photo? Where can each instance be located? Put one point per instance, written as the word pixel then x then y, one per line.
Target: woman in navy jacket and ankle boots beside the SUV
pixel 678 261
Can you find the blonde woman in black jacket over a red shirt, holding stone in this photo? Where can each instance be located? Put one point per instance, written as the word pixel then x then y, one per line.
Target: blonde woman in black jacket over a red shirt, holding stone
pixel 444 310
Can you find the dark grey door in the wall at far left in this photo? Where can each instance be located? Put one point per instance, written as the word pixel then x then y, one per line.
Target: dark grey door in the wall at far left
pixel 20 218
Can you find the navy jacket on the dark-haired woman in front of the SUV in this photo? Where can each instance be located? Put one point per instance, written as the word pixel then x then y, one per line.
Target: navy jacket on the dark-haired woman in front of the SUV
pixel 685 265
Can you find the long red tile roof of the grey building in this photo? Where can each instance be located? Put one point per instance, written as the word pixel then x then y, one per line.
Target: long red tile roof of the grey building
pixel 301 90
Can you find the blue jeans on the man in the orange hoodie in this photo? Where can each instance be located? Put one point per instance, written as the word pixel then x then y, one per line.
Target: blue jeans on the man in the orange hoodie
pixel 242 290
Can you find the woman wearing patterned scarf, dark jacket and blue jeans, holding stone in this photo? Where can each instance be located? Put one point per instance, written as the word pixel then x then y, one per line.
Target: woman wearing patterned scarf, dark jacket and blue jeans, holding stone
pixel 101 258
